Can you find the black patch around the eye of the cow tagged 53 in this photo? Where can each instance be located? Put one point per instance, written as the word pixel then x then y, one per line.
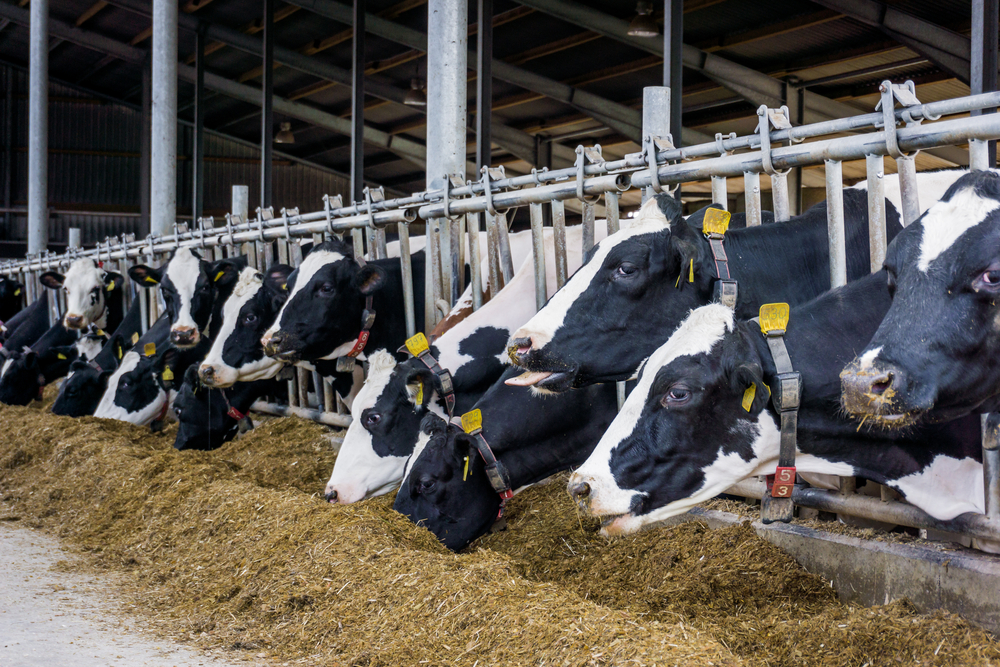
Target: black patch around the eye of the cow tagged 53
pixel 692 416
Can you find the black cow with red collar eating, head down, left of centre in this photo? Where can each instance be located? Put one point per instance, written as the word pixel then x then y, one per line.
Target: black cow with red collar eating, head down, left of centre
pixel 208 418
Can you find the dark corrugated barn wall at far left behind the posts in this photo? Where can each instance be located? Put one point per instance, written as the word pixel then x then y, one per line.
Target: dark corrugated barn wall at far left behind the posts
pixel 94 157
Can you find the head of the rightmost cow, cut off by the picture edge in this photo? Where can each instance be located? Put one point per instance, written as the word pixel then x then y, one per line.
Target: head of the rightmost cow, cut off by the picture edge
pixel 938 347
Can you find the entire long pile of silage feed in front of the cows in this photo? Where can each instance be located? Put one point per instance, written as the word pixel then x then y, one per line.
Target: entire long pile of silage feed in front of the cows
pixel 236 548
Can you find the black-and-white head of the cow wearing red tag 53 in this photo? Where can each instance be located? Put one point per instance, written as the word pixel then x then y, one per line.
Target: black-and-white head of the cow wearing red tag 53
pixel 692 427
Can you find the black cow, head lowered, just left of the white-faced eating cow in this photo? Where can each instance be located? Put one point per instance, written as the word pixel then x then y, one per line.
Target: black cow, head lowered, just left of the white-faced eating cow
pixel 86 382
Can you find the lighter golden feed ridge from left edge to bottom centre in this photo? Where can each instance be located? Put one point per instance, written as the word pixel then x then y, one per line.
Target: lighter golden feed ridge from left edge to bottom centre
pixel 217 558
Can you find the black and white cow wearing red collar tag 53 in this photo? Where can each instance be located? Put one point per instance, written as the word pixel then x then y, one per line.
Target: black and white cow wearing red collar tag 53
pixel 700 419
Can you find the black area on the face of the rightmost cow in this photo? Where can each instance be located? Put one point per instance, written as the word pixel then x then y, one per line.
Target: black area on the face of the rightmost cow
pixel 939 339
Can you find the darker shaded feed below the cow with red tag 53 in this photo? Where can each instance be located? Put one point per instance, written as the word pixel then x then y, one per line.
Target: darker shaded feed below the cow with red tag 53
pixel 729 583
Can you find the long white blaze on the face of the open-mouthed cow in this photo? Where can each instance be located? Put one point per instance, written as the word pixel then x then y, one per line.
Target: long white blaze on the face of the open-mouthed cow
pixel 543 326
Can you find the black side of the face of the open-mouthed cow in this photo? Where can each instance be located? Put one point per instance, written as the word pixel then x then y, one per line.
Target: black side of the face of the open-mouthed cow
pixel 632 304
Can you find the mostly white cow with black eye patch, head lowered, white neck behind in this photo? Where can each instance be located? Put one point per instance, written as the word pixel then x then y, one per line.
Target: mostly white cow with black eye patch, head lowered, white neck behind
pixel 387 412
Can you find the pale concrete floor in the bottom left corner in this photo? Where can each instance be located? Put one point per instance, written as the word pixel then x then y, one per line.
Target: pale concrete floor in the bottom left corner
pixel 50 616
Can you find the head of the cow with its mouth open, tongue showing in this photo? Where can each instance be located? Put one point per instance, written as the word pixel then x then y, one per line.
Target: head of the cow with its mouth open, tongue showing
pixel 634 285
